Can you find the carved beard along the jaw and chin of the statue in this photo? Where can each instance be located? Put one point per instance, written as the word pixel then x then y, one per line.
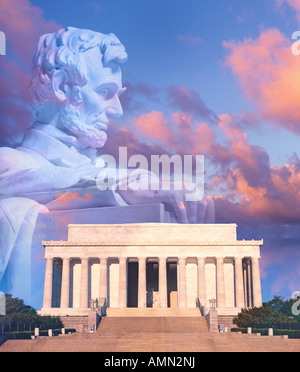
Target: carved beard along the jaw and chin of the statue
pixel 88 135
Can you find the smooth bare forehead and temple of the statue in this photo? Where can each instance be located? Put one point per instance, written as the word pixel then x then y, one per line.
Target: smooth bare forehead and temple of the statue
pixel 97 73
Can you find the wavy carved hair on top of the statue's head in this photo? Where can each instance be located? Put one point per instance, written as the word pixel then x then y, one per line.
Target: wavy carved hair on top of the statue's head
pixel 64 51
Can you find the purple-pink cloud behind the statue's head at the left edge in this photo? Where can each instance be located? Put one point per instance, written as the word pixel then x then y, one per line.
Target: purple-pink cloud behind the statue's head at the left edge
pixel 23 24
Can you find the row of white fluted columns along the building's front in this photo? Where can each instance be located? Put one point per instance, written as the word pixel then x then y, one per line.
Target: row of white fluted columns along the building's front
pixel 182 287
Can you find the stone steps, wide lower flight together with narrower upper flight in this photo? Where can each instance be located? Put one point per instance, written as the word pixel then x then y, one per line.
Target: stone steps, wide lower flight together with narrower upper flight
pixel 153 334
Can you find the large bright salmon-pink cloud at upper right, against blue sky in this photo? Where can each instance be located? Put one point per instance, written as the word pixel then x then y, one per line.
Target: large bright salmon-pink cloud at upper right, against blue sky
pixel 269 76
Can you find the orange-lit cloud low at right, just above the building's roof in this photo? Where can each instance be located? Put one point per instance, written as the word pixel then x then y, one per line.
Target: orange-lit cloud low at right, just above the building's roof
pixel 243 200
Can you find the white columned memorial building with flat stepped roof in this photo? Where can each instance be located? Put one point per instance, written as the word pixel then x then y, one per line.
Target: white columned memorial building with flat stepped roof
pixel 157 265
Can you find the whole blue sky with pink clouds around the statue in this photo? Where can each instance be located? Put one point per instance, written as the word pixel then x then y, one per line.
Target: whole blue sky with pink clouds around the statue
pixel 216 78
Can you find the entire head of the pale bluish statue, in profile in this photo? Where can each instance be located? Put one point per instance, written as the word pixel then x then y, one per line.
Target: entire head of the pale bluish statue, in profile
pixel 77 82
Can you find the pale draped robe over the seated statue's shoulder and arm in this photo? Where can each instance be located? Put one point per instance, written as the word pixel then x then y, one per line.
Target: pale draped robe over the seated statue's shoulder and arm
pixel 24 194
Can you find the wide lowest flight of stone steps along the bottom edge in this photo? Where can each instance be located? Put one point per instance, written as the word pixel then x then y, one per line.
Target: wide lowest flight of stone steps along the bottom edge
pixel 154 342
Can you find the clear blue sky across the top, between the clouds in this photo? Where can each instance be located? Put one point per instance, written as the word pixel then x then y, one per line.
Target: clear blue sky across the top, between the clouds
pixel 181 43
